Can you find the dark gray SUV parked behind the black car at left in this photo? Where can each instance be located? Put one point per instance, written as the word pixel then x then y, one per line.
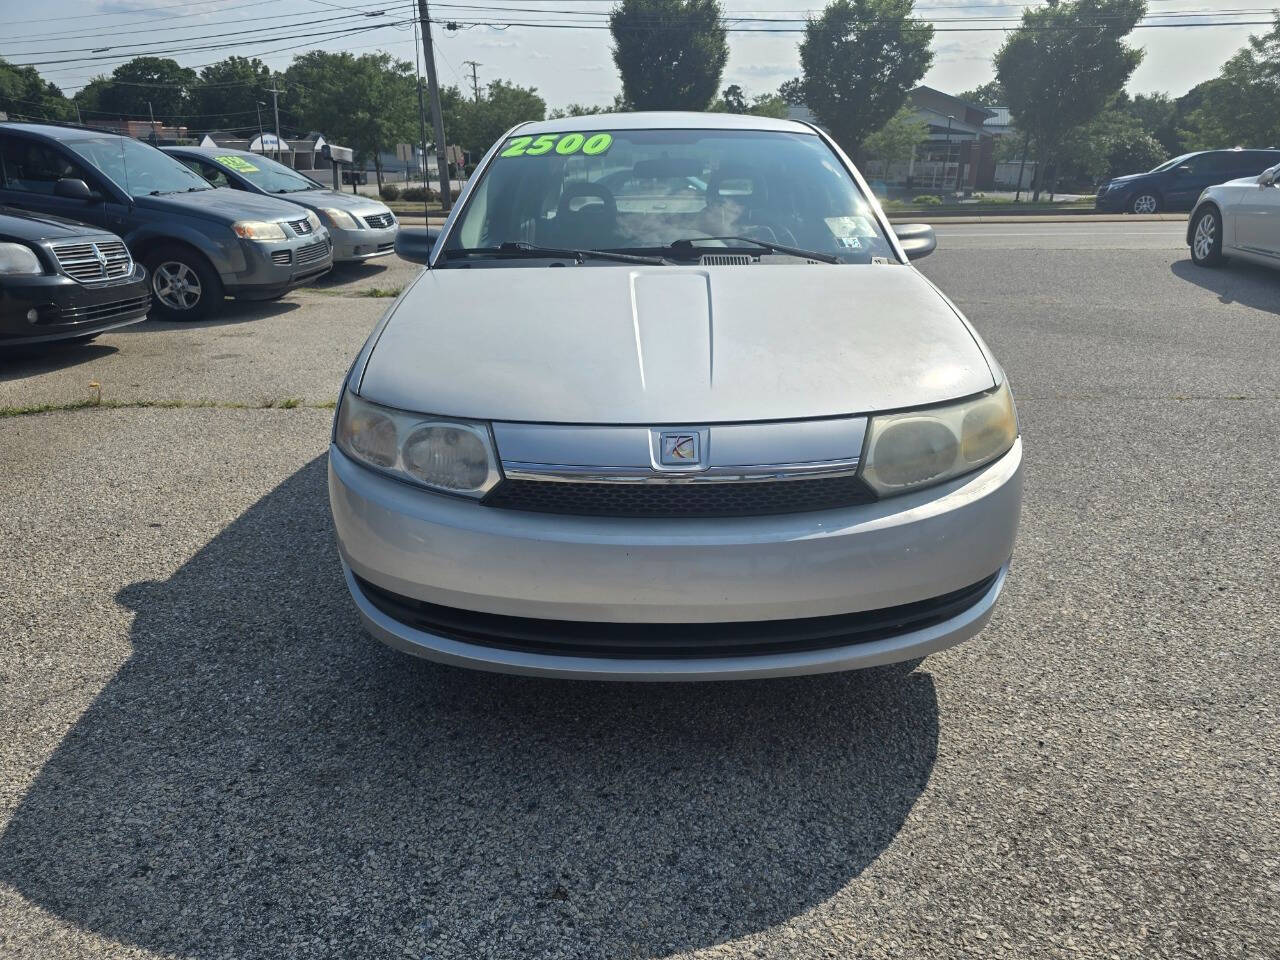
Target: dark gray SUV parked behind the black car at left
pixel 200 245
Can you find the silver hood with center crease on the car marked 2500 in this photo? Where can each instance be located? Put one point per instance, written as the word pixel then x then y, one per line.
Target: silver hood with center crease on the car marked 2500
pixel 673 345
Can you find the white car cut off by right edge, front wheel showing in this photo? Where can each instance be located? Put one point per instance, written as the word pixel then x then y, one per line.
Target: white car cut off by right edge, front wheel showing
pixel 1238 220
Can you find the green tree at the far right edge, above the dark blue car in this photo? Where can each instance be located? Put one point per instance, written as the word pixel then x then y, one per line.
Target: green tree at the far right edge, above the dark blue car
pixel 1242 106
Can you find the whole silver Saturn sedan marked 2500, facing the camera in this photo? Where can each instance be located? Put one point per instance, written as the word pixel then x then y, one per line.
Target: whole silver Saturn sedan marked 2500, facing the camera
pixel 670 403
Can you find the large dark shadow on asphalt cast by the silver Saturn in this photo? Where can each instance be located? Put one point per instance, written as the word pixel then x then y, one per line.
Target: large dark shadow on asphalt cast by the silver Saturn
pixel 263 780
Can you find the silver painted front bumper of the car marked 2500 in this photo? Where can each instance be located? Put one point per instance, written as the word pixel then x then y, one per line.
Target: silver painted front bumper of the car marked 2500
pixel 473 559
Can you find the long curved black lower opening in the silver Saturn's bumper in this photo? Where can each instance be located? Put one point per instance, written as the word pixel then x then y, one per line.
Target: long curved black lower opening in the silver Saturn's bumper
pixel 673 641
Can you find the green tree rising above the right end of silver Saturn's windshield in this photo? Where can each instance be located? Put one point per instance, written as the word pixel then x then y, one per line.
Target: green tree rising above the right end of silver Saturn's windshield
pixel 861 60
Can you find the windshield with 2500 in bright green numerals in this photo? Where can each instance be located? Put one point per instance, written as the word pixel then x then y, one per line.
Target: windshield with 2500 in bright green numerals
pixel 642 191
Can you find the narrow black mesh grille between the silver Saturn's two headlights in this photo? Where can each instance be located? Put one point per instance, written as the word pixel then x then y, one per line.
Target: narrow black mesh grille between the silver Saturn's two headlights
pixel 680 500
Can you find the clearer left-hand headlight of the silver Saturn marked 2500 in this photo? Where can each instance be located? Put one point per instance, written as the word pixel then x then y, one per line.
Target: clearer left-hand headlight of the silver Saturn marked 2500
pixel 446 455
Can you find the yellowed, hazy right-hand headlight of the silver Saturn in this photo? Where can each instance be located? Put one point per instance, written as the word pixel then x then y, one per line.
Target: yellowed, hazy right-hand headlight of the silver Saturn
pixel 924 447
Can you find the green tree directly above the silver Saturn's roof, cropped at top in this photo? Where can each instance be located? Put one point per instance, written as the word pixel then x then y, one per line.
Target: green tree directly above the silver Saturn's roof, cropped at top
pixel 670 53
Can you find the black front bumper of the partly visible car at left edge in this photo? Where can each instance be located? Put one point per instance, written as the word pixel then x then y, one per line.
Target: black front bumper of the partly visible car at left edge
pixel 66 309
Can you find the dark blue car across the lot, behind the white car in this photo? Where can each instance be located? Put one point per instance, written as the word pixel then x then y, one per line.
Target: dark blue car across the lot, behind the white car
pixel 1177 184
